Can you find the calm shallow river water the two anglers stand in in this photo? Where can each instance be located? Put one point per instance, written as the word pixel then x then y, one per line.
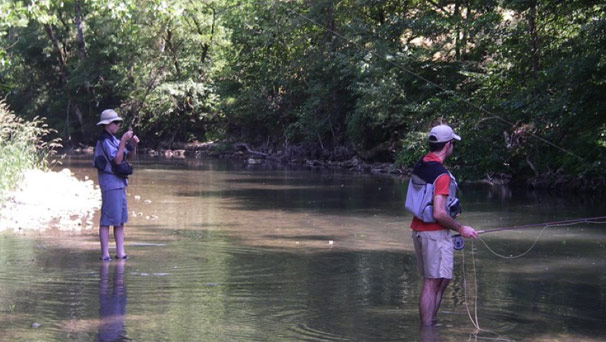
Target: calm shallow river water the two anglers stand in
pixel 222 251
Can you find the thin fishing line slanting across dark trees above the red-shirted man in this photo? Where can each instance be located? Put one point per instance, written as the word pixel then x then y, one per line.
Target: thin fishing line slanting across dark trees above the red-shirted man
pixel 412 73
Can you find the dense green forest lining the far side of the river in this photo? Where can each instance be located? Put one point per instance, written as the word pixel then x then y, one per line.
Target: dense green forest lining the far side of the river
pixel 522 81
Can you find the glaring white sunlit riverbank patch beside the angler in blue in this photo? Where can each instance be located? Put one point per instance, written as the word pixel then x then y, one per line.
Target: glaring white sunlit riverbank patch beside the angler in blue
pixel 50 200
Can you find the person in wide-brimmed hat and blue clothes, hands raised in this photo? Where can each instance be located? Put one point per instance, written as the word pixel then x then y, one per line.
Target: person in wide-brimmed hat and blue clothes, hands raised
pixel 109 150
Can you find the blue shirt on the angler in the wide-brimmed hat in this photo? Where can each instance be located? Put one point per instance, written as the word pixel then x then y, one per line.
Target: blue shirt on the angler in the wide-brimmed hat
pixel 107 148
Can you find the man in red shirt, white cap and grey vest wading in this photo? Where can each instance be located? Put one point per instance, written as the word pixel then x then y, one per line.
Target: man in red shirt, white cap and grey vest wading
pixel 431 198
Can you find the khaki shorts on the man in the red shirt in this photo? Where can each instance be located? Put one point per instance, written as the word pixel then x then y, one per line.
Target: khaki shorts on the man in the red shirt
pixel 434 253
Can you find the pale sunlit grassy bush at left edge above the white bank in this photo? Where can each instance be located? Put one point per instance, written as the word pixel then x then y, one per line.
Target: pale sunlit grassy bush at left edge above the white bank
pixel 21 148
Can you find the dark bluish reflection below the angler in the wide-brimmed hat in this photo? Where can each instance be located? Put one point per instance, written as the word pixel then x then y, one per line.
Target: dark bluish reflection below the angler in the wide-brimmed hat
pixel 112 302
